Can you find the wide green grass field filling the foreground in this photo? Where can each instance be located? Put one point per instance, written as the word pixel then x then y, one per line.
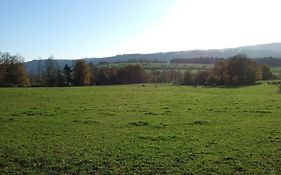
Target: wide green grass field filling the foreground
pixel 131 129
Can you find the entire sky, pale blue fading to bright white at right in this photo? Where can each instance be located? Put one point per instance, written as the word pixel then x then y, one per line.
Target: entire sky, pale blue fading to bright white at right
pixel 74 29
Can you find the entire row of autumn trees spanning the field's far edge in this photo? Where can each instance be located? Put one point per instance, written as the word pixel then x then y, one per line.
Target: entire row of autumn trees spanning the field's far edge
pixel 238 70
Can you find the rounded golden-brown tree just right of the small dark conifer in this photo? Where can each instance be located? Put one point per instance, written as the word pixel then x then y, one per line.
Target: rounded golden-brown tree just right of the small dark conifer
pixel 81 73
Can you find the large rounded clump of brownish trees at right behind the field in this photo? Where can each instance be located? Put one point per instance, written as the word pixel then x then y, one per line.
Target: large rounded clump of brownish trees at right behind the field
pixel 237 70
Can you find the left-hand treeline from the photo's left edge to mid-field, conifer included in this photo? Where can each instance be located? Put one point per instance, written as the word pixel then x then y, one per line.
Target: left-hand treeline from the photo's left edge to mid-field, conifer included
pixel 13 73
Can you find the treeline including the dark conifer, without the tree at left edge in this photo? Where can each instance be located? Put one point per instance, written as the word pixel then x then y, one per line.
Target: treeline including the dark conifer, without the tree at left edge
pixel 83 74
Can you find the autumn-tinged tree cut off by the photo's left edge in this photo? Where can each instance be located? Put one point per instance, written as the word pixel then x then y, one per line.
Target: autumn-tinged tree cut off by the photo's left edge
pixel 12 71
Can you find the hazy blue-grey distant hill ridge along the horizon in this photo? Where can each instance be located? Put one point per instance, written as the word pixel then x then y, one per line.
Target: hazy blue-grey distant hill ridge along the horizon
pixel 254 51
